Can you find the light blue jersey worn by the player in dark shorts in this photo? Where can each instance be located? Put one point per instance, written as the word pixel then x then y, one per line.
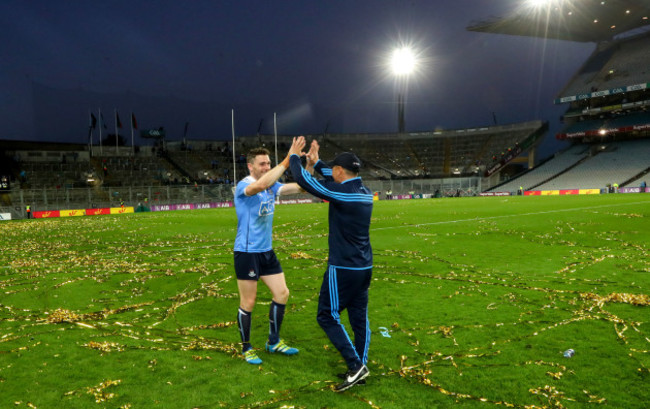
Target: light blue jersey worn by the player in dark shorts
pixel 254 217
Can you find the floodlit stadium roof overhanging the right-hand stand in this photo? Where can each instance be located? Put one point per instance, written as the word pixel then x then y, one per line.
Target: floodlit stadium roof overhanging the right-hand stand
pixel 571 20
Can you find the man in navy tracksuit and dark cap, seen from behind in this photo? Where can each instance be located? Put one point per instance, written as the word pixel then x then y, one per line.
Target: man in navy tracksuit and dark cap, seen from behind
pixel 346 281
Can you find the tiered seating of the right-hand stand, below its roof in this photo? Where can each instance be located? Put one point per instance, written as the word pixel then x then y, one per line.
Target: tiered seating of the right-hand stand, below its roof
pixel 607 120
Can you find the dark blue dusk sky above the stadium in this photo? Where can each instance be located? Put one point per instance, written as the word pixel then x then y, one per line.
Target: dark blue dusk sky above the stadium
pixel 316 64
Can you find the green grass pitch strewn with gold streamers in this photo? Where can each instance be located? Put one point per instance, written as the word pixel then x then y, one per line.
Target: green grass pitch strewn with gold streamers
pixel 481 297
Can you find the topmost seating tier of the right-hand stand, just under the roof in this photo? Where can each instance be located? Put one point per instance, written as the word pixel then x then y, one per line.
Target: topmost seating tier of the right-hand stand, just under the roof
pixel 611 67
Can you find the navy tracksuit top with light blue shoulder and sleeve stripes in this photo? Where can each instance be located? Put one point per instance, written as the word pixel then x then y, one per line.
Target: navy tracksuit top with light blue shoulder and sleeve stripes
pixel 350 209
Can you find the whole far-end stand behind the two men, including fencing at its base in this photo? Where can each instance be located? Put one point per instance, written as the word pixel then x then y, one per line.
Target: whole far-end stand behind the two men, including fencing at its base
pixel 449 162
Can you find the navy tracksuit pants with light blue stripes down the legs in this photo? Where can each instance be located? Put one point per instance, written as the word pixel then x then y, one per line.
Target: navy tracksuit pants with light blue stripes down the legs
pixel 342 289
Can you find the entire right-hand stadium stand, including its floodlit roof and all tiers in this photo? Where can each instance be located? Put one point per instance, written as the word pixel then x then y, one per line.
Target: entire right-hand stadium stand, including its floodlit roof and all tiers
pixel 608 98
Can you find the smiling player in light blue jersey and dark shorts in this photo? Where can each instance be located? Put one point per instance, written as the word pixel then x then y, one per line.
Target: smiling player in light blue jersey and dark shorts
pixel 254 256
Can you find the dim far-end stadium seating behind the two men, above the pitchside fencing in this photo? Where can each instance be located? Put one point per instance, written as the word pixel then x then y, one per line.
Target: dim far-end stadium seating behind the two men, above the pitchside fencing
pixel 434 154
